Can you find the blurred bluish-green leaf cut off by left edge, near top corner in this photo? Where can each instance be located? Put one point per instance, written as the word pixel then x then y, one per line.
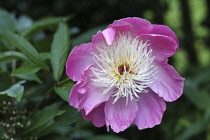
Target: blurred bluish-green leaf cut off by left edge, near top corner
pixel 7 21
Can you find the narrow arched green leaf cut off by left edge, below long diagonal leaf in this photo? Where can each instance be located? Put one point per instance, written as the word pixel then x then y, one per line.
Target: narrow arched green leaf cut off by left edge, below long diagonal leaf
pixel 10 55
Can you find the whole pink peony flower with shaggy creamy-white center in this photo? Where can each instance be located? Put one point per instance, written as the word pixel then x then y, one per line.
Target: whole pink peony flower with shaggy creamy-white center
pixel 123 77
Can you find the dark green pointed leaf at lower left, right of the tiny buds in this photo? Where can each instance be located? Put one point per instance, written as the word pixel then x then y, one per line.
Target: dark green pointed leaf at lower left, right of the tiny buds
pixel 44 116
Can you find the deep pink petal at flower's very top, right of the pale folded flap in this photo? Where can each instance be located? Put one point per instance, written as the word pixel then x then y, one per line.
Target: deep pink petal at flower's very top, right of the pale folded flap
pixel 140 26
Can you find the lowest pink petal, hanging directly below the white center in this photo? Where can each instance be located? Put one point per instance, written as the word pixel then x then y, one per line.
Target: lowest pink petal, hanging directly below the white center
pixel 118 115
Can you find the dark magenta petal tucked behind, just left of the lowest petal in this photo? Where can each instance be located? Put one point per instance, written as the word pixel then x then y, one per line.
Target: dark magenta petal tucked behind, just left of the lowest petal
pixel 97 116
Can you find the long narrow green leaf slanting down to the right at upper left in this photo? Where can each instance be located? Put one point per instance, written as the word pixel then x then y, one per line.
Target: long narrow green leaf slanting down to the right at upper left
pixel 24 46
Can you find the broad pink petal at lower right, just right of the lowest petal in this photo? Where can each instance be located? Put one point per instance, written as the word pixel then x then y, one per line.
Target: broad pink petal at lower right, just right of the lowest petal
pixel 151 109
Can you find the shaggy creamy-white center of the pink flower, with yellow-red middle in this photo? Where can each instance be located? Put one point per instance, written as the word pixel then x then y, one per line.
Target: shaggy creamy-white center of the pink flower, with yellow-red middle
pixel 125 67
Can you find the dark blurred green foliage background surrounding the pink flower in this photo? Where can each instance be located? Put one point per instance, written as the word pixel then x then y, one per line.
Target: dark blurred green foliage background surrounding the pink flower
pixel 36 37
